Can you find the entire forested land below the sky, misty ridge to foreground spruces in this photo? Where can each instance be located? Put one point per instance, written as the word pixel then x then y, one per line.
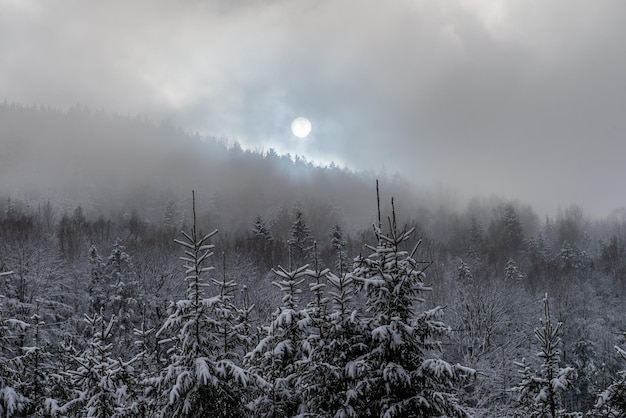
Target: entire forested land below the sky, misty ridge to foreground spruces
pixel 155 273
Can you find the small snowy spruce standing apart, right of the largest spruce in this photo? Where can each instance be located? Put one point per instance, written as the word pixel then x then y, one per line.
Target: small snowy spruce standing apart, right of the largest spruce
pixel 540 393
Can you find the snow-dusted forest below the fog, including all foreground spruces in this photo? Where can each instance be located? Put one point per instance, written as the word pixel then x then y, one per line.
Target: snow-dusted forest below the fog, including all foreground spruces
pixel 340 336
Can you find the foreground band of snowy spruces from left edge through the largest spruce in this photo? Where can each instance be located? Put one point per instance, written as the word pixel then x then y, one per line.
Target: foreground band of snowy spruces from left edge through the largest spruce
pixel 323 358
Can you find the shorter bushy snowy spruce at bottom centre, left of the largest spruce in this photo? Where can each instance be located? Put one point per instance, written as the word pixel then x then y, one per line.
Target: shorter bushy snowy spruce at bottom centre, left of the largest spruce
pixel 277 359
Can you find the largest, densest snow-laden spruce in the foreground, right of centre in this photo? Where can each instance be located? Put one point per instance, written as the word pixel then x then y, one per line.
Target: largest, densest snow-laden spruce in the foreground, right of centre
pixel 401 374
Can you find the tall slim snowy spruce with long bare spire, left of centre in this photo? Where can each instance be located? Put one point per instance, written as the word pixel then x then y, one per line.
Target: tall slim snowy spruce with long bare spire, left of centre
pixel 195 382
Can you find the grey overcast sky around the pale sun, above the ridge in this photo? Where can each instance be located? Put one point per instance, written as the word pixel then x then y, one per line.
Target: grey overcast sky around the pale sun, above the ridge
pixel 524 98
